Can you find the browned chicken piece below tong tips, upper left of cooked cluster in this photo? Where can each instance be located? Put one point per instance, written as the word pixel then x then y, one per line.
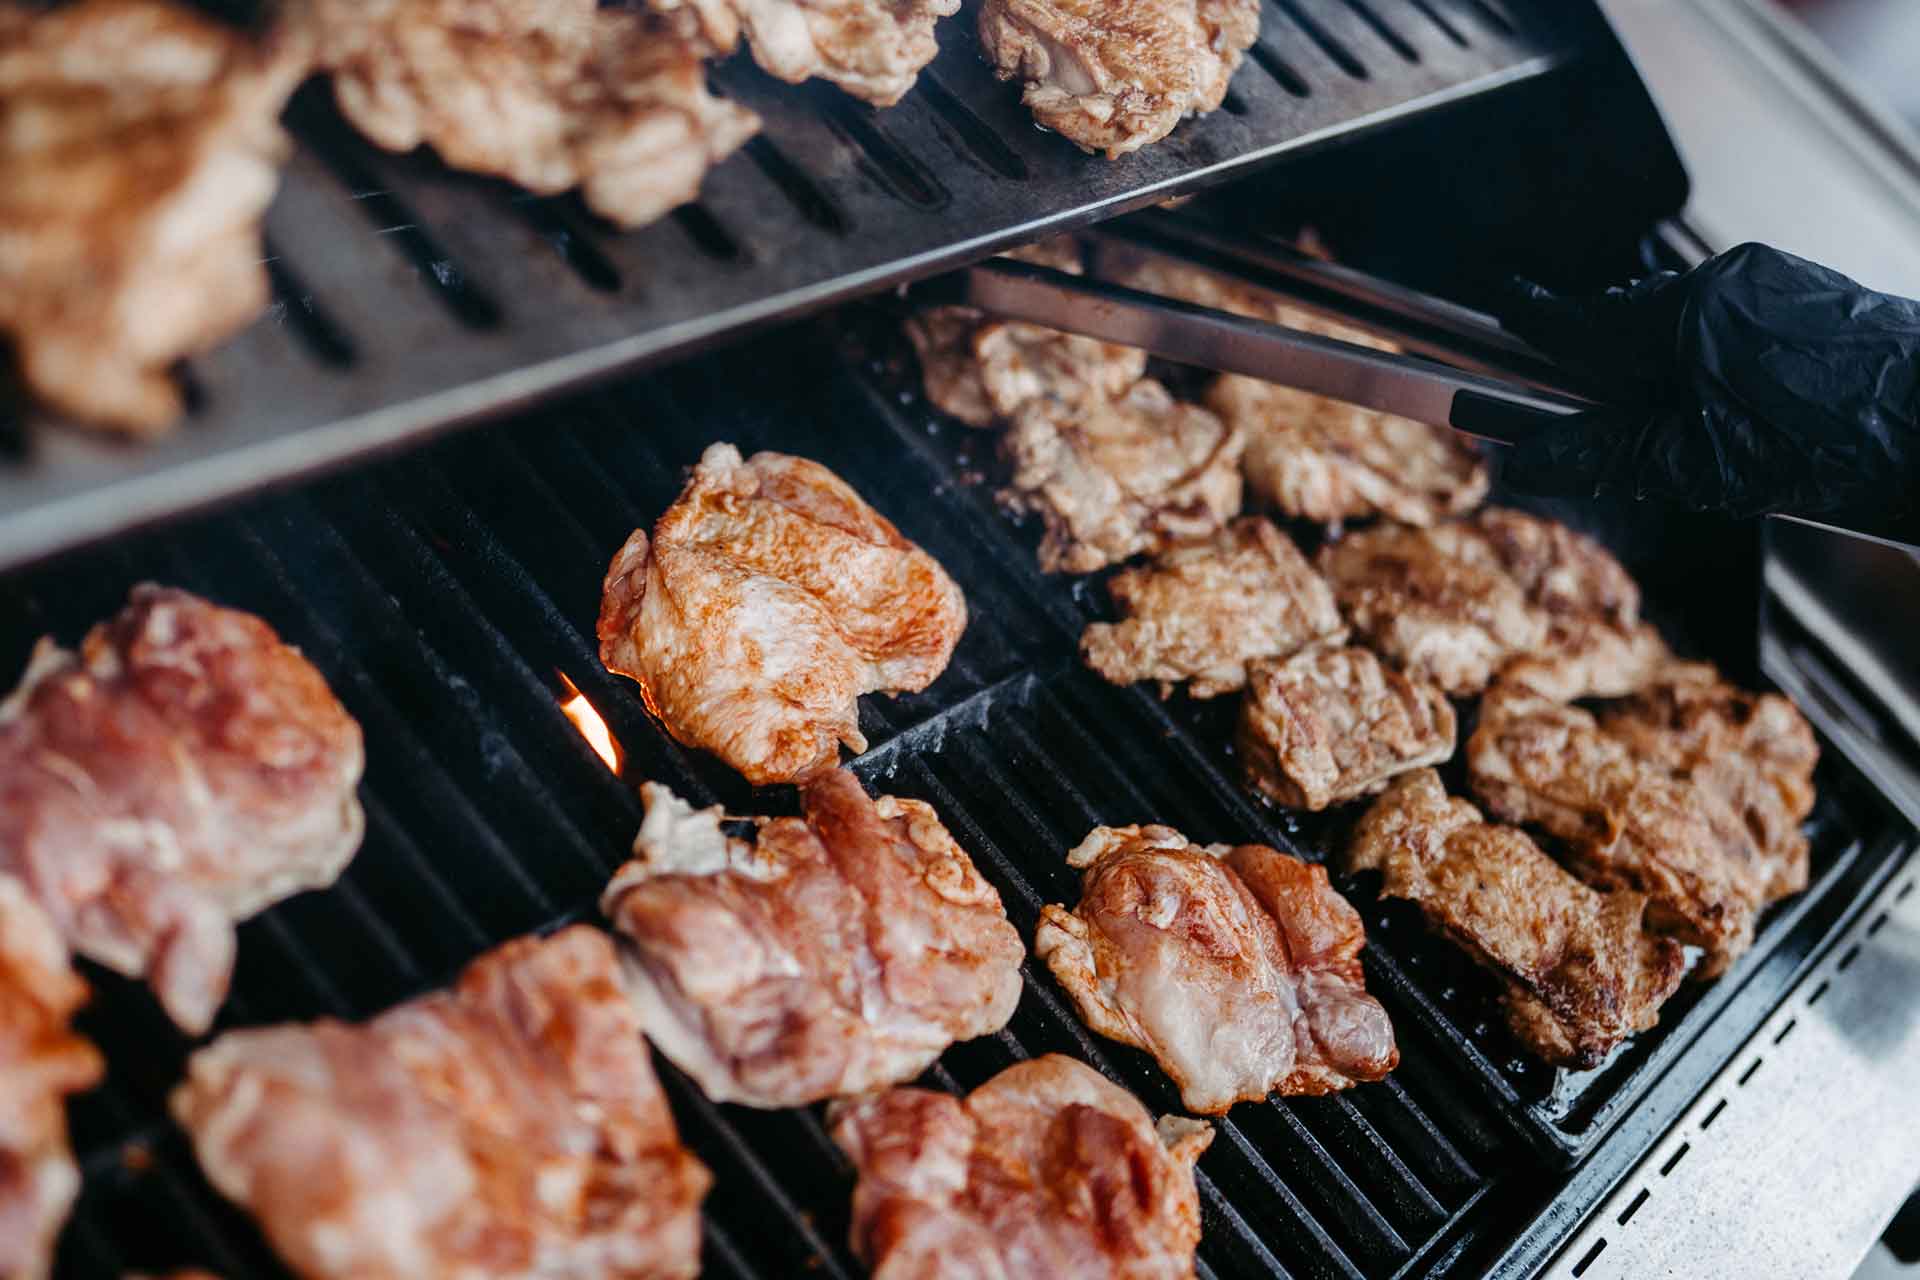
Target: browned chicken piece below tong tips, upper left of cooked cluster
pixel 1120 477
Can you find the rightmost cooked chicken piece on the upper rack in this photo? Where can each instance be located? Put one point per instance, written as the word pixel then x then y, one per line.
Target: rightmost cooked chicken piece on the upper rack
pixel 1115 76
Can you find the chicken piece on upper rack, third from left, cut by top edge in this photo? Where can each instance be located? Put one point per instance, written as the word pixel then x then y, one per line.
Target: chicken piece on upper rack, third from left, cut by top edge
pixel 873 49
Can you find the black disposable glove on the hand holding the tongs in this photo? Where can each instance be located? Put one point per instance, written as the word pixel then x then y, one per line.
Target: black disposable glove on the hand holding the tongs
pixel 1758 383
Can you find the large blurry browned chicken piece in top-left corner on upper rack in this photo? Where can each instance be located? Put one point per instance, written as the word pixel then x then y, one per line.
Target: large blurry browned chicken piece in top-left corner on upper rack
pixel 141 145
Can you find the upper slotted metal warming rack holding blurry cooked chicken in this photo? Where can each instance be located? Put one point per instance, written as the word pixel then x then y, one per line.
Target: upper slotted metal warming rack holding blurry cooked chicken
pixel 414 298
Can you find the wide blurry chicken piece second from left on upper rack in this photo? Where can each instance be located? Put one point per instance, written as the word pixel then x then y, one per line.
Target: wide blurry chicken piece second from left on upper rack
pixel 546 93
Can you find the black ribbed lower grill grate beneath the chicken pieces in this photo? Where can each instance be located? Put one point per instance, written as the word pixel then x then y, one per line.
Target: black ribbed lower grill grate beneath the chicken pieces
pixel 443 594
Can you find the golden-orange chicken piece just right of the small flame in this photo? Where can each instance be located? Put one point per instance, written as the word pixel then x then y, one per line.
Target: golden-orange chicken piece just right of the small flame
pixel 767 602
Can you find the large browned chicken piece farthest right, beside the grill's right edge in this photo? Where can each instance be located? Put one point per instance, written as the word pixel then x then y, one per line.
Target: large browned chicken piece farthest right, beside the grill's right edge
pixel 1698 817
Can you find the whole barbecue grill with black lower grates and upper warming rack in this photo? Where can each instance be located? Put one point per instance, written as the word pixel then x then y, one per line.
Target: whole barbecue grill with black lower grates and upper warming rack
pixel 450 596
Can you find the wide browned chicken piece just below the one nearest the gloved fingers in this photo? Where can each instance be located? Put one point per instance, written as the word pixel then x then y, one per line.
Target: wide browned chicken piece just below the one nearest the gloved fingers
pixel 1460 600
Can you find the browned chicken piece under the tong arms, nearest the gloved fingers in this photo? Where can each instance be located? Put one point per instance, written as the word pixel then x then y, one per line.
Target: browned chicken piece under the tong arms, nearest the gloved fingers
pixel 1330 462
